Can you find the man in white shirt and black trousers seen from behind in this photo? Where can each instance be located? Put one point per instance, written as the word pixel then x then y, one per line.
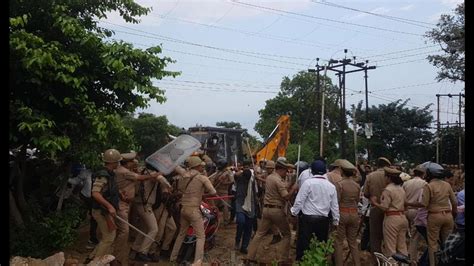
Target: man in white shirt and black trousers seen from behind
pixel 316 198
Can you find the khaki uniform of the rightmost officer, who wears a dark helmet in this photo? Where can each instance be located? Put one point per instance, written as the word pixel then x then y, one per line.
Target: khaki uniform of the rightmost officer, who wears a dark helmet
pixel 437 197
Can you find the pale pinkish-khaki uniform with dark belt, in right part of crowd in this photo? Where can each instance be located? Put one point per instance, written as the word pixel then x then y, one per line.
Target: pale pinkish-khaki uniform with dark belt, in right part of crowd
pixel 395 224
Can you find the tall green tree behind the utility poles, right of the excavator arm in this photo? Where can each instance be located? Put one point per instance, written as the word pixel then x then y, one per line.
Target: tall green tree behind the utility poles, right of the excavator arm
pixel 299 96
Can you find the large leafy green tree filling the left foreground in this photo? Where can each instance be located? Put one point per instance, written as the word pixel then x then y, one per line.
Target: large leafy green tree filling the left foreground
pixel 70 85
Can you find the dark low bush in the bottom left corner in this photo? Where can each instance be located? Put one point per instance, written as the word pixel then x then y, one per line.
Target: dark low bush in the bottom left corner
pixel 45 235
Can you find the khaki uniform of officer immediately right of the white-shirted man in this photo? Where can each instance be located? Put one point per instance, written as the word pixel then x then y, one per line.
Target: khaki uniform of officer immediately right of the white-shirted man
pixel 348 194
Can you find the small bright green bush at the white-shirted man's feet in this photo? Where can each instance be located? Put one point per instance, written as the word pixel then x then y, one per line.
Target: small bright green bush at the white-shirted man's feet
pixel 317 253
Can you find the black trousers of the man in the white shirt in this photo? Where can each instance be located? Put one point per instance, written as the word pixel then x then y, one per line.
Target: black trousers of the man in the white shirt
pixel 307 226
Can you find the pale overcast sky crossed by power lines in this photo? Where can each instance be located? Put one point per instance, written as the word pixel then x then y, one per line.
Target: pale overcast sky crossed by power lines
pixel 233 54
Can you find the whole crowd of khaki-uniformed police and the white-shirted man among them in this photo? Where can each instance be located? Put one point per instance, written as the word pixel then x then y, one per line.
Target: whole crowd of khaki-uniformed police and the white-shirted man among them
pixel 395 207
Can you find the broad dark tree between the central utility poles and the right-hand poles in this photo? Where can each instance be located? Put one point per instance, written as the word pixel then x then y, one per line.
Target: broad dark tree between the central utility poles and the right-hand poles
pixel 399 133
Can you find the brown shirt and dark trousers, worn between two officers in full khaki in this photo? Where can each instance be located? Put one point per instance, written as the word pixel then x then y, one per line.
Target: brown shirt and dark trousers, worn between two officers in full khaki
pixel 374 185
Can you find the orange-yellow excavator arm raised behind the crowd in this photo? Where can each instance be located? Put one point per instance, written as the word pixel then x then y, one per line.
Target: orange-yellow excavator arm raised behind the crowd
pixel 277 142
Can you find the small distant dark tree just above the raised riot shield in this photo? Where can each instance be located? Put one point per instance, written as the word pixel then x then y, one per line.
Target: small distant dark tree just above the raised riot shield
pixel 150 132
